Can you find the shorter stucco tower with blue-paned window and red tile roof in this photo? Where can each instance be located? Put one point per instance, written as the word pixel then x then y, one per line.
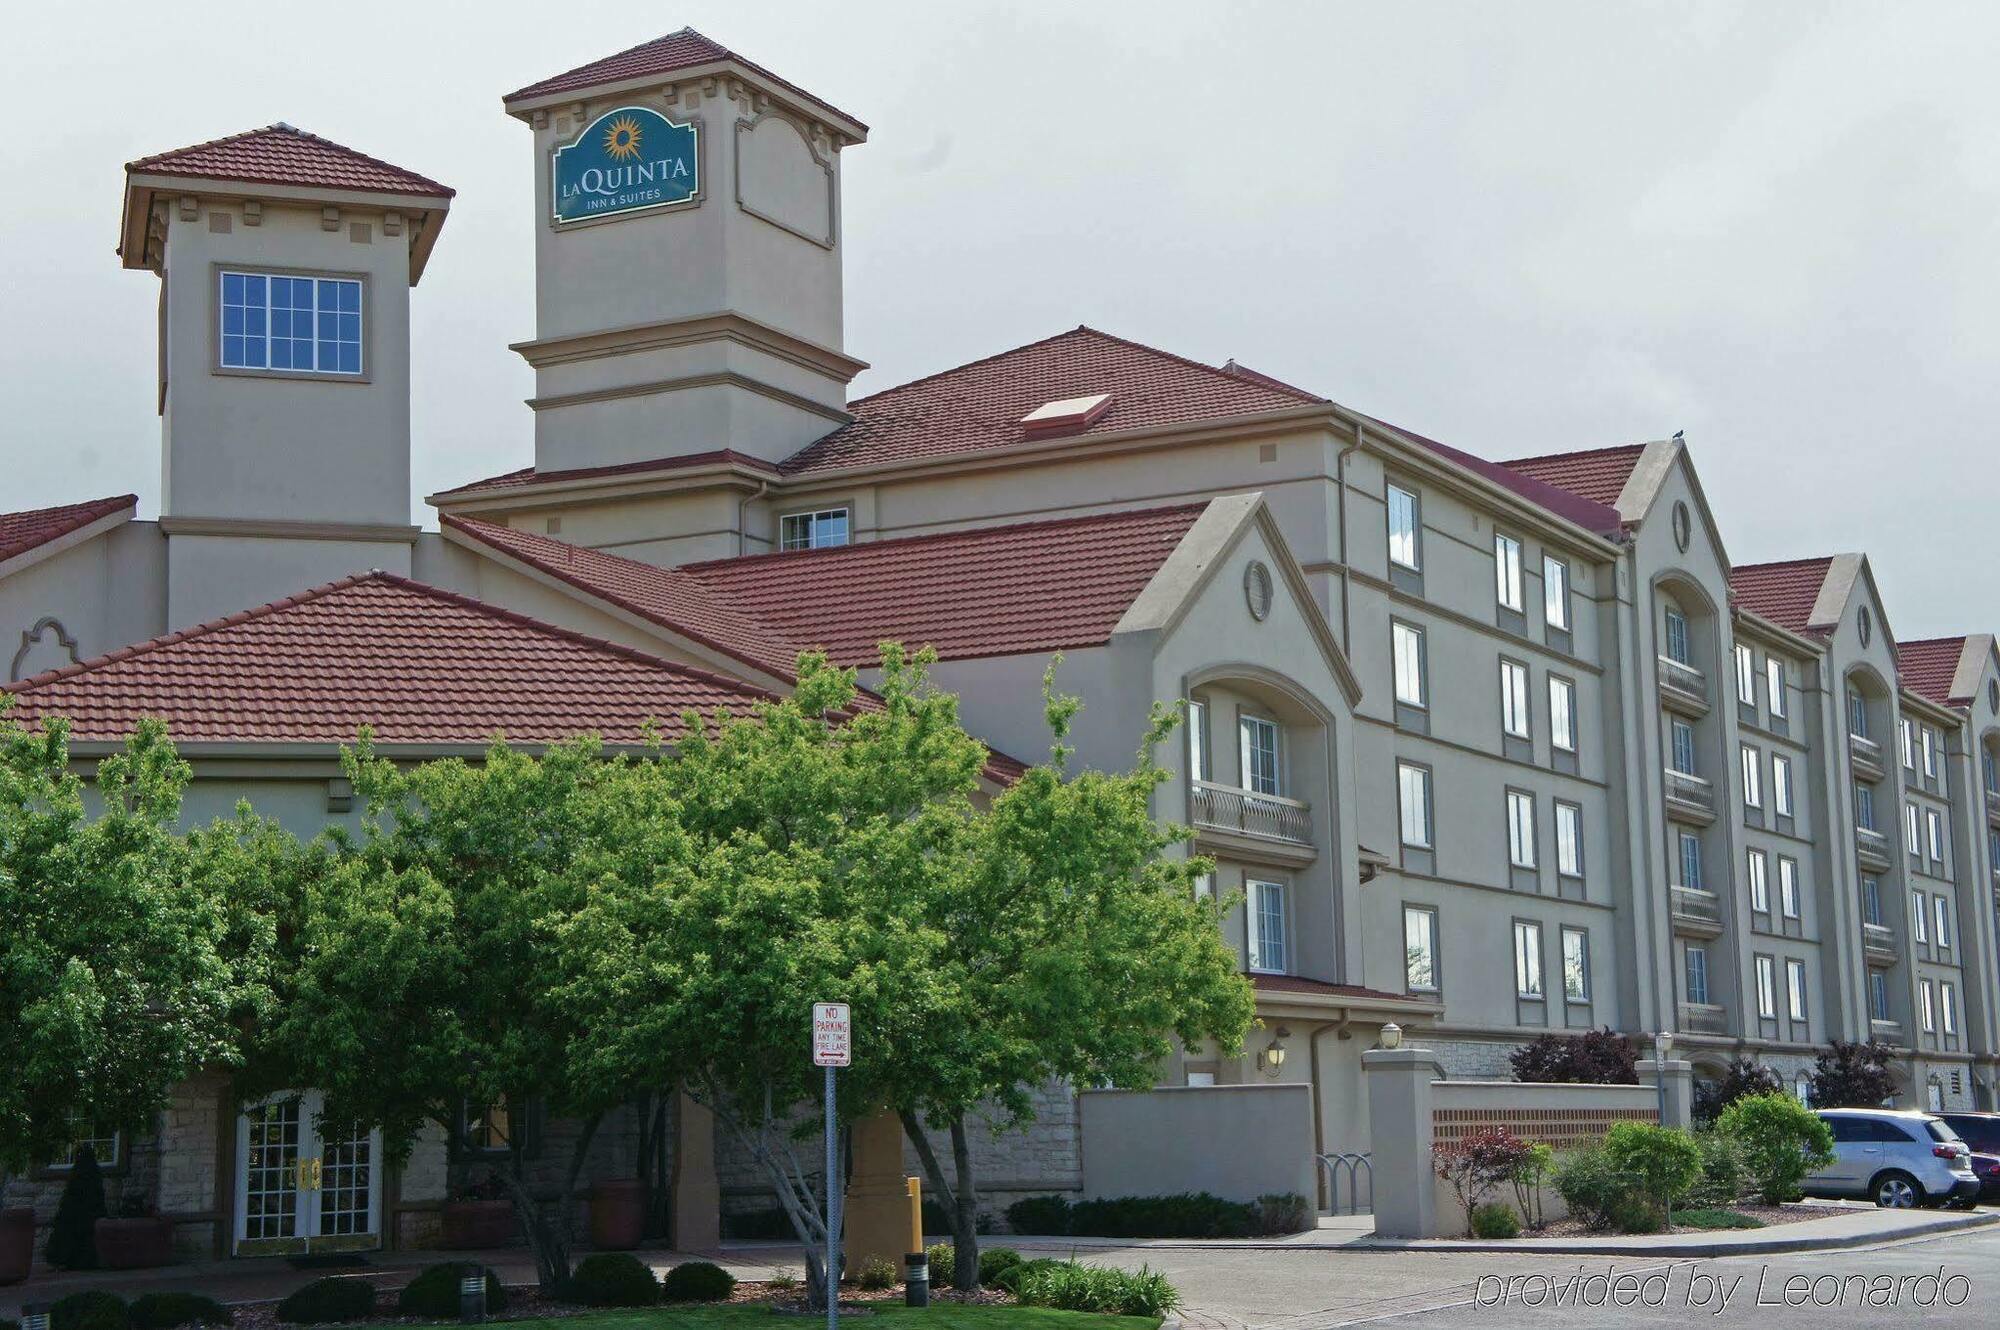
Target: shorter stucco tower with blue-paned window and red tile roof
pixel 285 275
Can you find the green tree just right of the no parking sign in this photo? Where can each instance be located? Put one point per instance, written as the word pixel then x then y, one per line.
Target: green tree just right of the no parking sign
pixel 1073 949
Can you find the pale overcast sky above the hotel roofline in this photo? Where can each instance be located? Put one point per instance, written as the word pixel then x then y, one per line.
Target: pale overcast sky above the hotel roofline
pixel 1511 227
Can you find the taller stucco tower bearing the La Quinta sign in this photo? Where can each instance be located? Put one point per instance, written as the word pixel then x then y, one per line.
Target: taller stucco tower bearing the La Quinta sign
pixel 687 259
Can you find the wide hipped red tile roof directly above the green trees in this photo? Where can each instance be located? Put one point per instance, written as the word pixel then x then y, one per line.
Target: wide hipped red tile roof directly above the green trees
pixel 417 663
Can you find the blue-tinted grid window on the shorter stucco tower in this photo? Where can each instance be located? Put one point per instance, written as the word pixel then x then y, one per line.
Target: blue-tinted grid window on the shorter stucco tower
pixel 299 325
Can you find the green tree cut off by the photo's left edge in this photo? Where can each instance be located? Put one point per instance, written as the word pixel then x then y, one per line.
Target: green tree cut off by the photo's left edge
pixel 127 961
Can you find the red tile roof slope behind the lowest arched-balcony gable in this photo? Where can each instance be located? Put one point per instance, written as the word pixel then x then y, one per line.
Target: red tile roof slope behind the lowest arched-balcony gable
pixel 997 591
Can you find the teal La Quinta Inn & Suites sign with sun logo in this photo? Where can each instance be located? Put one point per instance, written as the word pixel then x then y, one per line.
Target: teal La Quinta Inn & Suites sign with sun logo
pixel 625 161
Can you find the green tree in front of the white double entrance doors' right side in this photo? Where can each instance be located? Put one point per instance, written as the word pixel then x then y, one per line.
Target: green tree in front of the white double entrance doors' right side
pixel 451 923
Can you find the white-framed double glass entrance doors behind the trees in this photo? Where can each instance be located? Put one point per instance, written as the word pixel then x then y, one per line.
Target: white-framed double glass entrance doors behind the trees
pixel 299 1191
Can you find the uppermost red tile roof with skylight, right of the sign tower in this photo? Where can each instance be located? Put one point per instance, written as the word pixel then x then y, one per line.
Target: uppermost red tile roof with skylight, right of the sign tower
pixel 979 407
